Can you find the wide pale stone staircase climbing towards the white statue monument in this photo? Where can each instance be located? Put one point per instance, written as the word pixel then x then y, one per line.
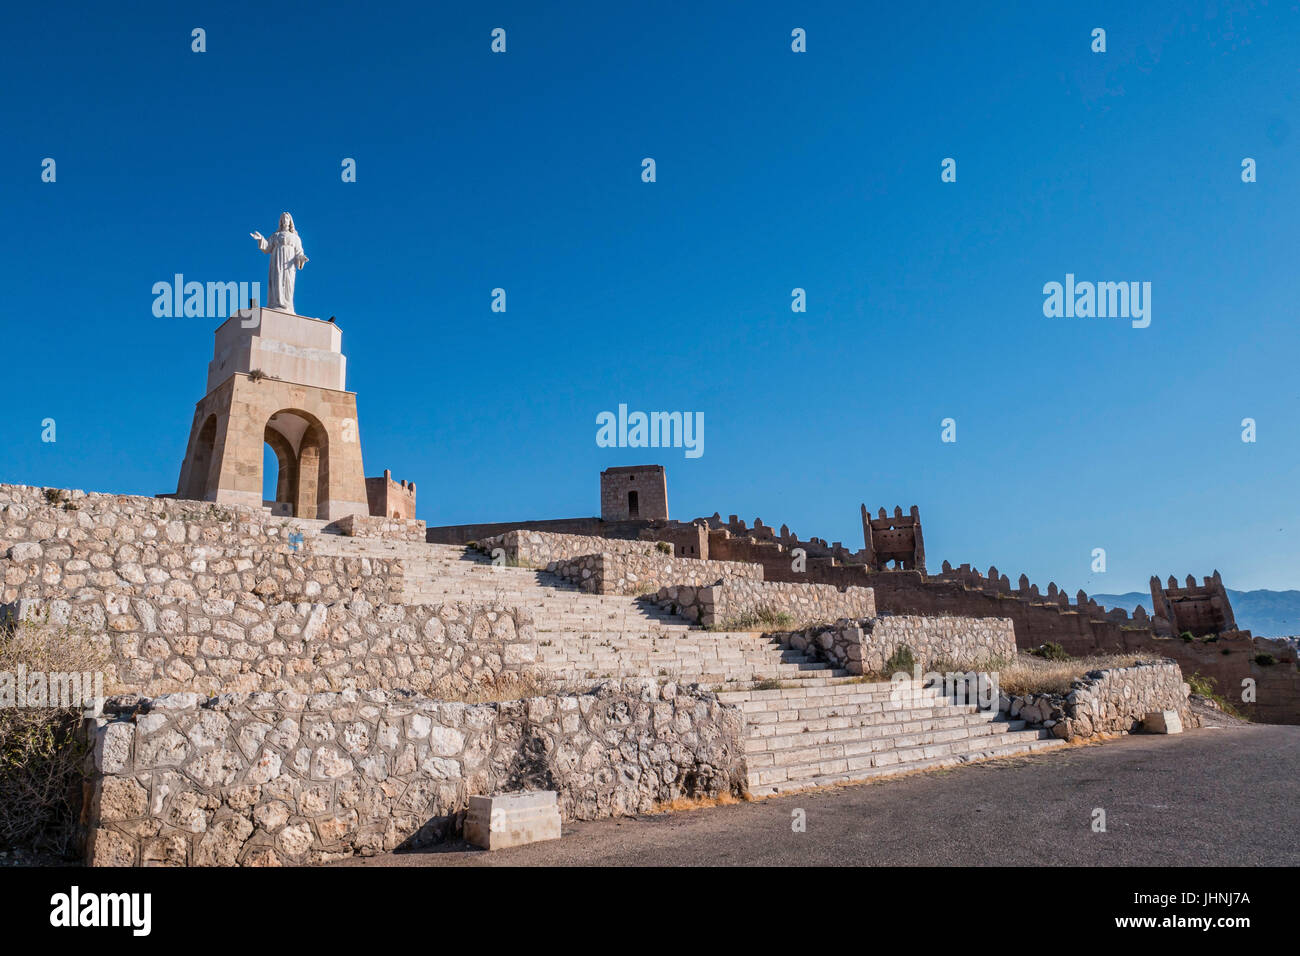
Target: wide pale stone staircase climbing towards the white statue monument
pixel 809 725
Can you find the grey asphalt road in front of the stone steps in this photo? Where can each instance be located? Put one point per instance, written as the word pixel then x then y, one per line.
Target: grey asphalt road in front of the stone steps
pixel 1207 798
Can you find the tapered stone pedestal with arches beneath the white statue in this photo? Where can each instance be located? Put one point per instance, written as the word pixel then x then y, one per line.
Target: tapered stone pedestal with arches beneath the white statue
pixel 278 379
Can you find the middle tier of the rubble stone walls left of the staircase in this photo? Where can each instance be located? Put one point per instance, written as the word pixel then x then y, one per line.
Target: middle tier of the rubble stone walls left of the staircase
pixel 216 646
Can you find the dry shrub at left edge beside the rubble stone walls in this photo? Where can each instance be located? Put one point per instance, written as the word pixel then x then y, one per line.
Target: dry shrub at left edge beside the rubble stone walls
pixel 42 750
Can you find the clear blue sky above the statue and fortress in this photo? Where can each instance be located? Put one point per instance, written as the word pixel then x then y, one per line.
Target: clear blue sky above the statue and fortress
pixel 775 171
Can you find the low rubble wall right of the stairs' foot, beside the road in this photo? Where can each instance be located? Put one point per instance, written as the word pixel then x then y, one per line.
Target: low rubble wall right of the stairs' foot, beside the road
pixel 1108 702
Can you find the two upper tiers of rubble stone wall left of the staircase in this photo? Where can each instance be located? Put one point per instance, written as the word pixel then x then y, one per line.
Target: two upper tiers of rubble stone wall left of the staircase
pixel 189 596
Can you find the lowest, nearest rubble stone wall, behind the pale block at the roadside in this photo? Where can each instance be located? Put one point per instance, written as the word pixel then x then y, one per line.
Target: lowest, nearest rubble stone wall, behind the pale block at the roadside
pixel 288 780
